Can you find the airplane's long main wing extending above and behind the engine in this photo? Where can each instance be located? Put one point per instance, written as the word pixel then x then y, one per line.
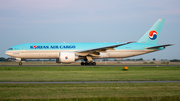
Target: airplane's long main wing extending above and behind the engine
pixel 101 49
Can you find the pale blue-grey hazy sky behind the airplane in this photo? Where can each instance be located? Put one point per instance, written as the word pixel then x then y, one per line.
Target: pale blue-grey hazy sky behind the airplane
pixel 48 21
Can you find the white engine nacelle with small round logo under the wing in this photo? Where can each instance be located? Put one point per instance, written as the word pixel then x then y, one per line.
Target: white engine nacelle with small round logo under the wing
pixel 67 57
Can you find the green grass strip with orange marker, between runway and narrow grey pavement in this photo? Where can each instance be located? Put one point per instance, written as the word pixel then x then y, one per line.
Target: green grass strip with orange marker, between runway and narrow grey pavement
pixel 88 73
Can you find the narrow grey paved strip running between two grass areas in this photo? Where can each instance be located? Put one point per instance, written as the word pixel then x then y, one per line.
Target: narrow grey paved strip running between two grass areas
pixel 90 82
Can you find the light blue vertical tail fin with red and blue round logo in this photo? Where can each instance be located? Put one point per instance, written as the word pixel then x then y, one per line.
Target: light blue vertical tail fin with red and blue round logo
pixel 152 35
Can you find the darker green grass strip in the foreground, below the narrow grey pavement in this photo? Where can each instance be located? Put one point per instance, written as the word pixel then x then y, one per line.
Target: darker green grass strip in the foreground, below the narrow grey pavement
pixel 119 91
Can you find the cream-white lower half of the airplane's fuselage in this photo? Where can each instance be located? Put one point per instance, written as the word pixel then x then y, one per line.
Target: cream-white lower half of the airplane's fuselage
pixel 53 54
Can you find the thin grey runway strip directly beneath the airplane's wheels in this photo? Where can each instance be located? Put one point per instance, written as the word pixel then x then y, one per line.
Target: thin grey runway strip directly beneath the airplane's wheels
pixel 86 66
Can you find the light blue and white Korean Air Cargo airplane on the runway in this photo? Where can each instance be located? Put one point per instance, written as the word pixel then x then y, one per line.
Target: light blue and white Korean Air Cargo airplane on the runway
pixel 70 52
